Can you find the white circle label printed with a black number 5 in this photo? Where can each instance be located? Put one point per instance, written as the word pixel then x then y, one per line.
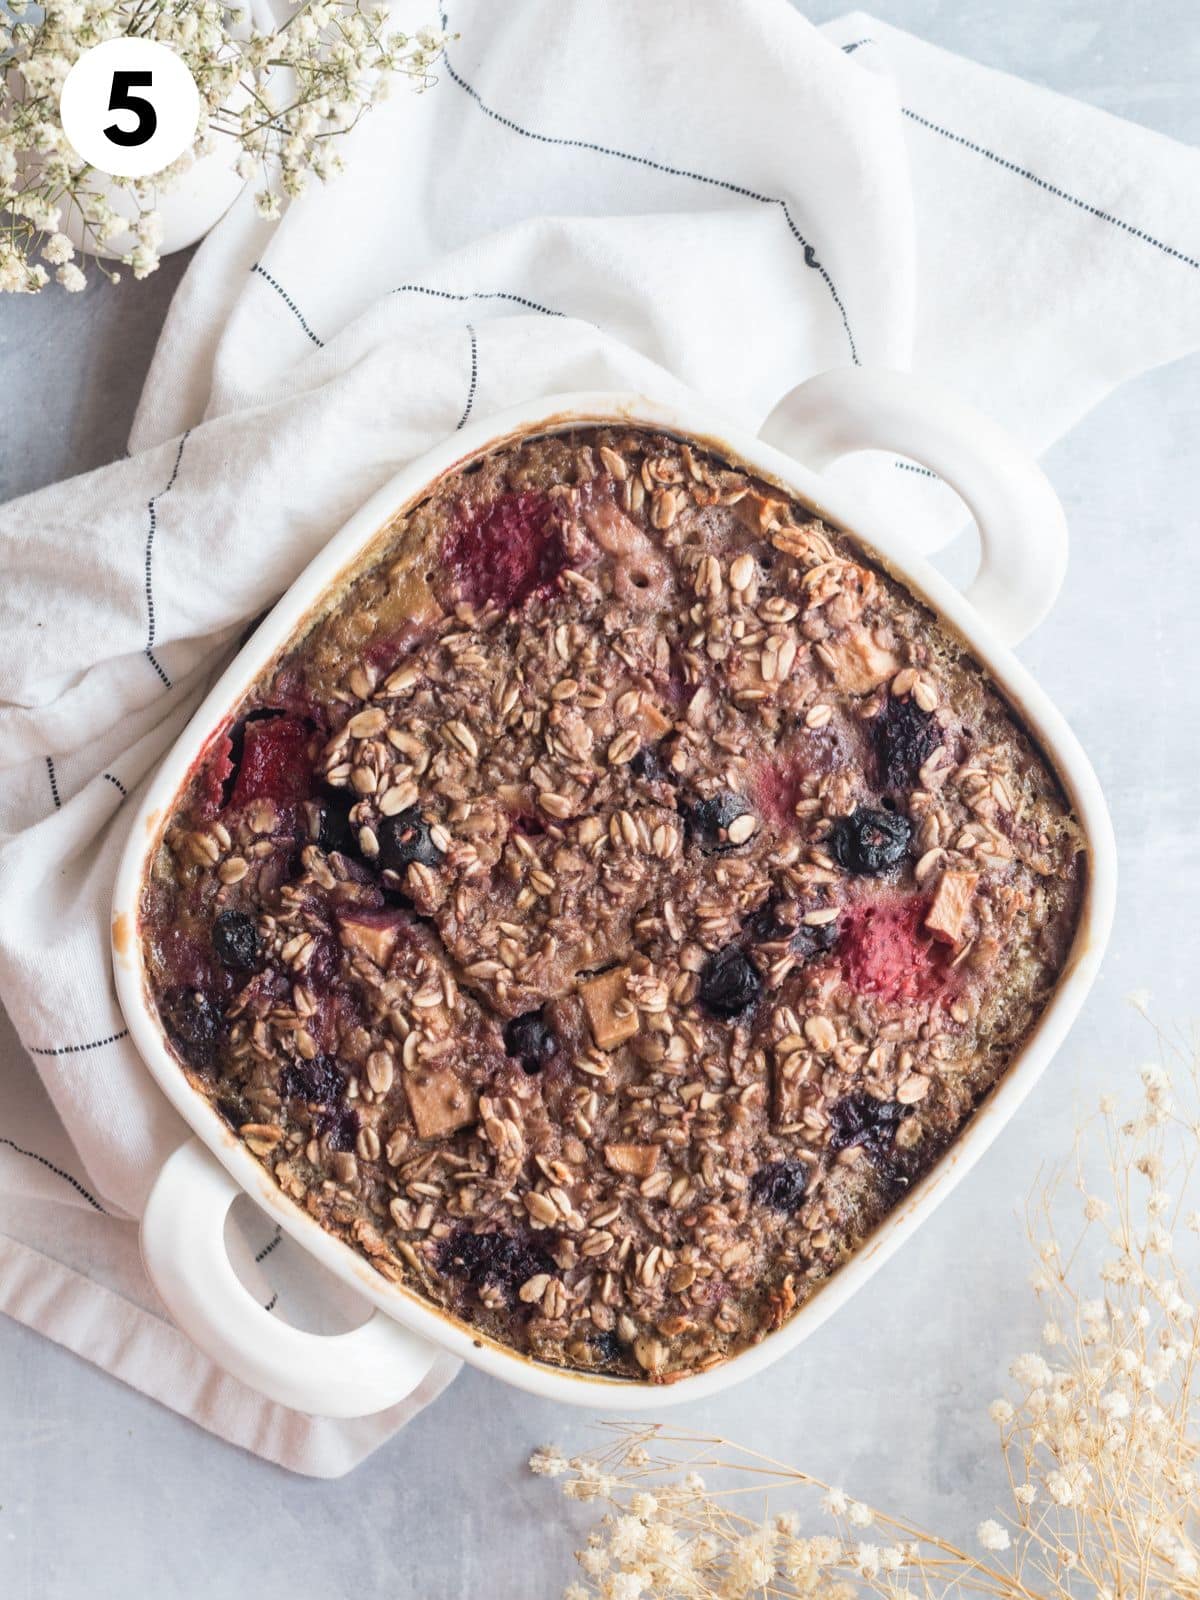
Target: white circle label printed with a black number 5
pixel 130 108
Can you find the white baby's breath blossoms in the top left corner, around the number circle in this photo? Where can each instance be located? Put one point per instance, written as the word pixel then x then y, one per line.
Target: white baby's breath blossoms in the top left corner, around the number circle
pixel 282 97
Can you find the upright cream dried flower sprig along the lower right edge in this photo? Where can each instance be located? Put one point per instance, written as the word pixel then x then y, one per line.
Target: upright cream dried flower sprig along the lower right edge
pixel 1105 1436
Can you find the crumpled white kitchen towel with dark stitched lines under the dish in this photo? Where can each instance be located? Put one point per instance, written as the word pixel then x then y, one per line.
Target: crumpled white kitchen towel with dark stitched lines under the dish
pixel 596 194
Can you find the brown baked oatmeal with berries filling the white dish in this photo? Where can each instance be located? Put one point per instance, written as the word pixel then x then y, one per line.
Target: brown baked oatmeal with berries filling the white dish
pixel 612 903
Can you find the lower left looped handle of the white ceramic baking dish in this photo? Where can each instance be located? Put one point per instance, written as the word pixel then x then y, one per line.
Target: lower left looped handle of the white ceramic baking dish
pixel 185 1252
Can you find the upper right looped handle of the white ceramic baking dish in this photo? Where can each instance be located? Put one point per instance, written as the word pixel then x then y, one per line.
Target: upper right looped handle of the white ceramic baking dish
pixel 1023 534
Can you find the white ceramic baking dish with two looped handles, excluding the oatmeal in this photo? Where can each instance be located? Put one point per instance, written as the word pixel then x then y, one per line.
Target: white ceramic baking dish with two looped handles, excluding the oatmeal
pixel 1023 540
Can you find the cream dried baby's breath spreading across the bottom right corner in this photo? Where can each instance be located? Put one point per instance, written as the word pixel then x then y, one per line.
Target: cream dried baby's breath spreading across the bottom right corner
pixel 1102 1441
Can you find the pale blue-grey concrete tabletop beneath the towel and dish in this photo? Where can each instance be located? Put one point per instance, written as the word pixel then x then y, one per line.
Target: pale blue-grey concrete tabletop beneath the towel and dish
pixel 105 1494
